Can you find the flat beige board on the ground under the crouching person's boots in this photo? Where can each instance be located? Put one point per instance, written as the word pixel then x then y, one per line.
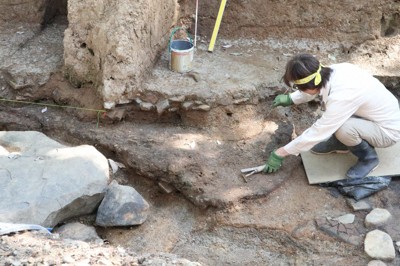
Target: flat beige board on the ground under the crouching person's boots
pixel 332 167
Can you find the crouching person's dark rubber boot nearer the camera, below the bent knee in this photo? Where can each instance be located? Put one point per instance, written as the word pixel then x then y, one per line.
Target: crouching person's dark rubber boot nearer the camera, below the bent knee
pixel 367 160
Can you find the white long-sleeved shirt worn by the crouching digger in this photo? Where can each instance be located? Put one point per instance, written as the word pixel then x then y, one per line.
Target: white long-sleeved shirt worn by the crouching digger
pixel 349 91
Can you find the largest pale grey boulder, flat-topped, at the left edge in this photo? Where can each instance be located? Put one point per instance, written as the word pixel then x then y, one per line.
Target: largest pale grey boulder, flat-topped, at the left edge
pixel 44 182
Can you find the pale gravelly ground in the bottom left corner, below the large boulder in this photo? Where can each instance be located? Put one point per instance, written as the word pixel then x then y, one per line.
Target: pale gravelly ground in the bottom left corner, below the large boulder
pixel 33 248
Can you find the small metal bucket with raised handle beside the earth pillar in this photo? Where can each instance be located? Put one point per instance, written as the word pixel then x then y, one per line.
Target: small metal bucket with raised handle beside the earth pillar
pixel 181 54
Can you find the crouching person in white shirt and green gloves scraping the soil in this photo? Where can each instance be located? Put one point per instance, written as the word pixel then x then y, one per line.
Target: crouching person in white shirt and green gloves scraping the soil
pixel 360 113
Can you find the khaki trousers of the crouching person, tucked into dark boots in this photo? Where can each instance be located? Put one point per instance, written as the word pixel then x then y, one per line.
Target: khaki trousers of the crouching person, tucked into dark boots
pixel 356 129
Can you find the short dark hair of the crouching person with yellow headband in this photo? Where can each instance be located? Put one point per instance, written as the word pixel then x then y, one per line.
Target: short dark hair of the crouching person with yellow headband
pixel 303 65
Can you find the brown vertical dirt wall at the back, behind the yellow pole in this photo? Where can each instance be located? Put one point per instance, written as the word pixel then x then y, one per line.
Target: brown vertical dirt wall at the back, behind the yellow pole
pixel 343 20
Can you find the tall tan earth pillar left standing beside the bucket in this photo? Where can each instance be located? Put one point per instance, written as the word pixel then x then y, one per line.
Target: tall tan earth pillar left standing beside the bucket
pixel 112 45
